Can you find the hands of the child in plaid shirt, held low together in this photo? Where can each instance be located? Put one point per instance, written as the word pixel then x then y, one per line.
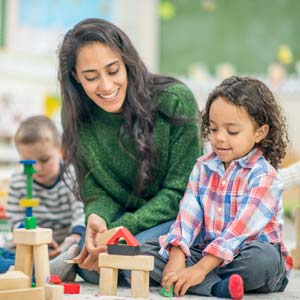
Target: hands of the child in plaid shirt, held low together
pixel 183 279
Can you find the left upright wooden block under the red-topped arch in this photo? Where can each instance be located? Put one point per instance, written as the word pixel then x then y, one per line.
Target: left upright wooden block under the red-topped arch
pixel 108 281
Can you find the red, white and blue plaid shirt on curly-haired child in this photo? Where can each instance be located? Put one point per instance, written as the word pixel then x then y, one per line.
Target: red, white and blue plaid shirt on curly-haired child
pixel 228 208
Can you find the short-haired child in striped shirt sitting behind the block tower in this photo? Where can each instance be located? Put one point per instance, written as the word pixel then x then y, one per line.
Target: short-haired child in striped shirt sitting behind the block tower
pixel 37 138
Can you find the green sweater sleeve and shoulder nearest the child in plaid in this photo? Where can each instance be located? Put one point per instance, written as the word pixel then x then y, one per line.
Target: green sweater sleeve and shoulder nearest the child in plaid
pixel 184 148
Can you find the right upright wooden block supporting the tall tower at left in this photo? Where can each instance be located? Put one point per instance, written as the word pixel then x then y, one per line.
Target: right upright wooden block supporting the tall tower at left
pixel 41 264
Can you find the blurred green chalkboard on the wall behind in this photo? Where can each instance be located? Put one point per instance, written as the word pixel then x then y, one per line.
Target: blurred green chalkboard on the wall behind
pixel 246 33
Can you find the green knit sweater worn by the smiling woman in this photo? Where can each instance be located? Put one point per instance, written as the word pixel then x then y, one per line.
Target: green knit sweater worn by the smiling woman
pixel 107 189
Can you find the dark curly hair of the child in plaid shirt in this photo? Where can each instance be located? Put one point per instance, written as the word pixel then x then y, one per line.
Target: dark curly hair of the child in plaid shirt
pixel 256 98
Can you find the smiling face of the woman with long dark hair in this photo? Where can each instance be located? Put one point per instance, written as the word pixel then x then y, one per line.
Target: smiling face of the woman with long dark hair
pixel 103 76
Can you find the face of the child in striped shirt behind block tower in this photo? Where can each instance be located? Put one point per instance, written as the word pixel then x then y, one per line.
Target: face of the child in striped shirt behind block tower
pixel 47 156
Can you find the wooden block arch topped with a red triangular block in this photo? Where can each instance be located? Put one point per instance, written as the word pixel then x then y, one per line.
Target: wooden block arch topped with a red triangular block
pixel 124 257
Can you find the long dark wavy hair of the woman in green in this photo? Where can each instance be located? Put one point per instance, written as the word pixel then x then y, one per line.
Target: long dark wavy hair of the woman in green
pixel 138 110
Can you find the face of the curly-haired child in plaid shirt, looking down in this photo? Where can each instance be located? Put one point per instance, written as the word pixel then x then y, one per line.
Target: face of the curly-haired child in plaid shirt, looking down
pixel 232 131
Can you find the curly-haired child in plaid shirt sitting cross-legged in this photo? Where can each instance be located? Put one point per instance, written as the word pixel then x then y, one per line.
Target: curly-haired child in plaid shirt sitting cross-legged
pixel 227 238
